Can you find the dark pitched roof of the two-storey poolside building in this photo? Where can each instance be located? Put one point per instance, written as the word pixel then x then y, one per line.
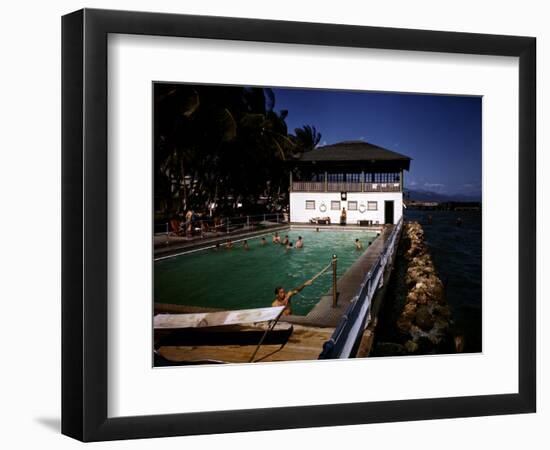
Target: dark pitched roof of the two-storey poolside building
pixel 354 151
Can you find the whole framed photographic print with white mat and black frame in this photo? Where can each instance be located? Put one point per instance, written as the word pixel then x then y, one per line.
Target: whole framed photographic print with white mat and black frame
pixel 267 224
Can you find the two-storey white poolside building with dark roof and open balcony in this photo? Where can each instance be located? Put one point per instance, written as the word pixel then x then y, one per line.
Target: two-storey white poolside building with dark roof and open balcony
pixel 363 178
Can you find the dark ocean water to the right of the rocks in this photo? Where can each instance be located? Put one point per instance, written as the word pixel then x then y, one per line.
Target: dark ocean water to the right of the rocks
pixel 456 251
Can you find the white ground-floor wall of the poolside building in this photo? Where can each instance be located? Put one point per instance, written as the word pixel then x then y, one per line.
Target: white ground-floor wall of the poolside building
pixel 299 213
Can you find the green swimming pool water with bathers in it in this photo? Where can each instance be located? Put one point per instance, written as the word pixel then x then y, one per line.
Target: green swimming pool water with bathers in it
pixel 239 279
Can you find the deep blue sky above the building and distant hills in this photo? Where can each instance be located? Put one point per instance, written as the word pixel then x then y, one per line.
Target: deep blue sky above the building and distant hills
pixel 441 133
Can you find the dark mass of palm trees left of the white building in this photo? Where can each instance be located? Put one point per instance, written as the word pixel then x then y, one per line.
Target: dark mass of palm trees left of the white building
pixel 222 146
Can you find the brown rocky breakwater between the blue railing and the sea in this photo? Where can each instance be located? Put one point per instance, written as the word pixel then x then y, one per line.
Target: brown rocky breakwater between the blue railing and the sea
pixel 425 319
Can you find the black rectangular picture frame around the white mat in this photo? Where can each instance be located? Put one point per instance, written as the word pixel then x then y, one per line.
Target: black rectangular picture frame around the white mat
pixel 84 224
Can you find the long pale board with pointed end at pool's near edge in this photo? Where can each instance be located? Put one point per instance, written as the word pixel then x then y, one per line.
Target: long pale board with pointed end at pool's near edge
pixel 218 318
